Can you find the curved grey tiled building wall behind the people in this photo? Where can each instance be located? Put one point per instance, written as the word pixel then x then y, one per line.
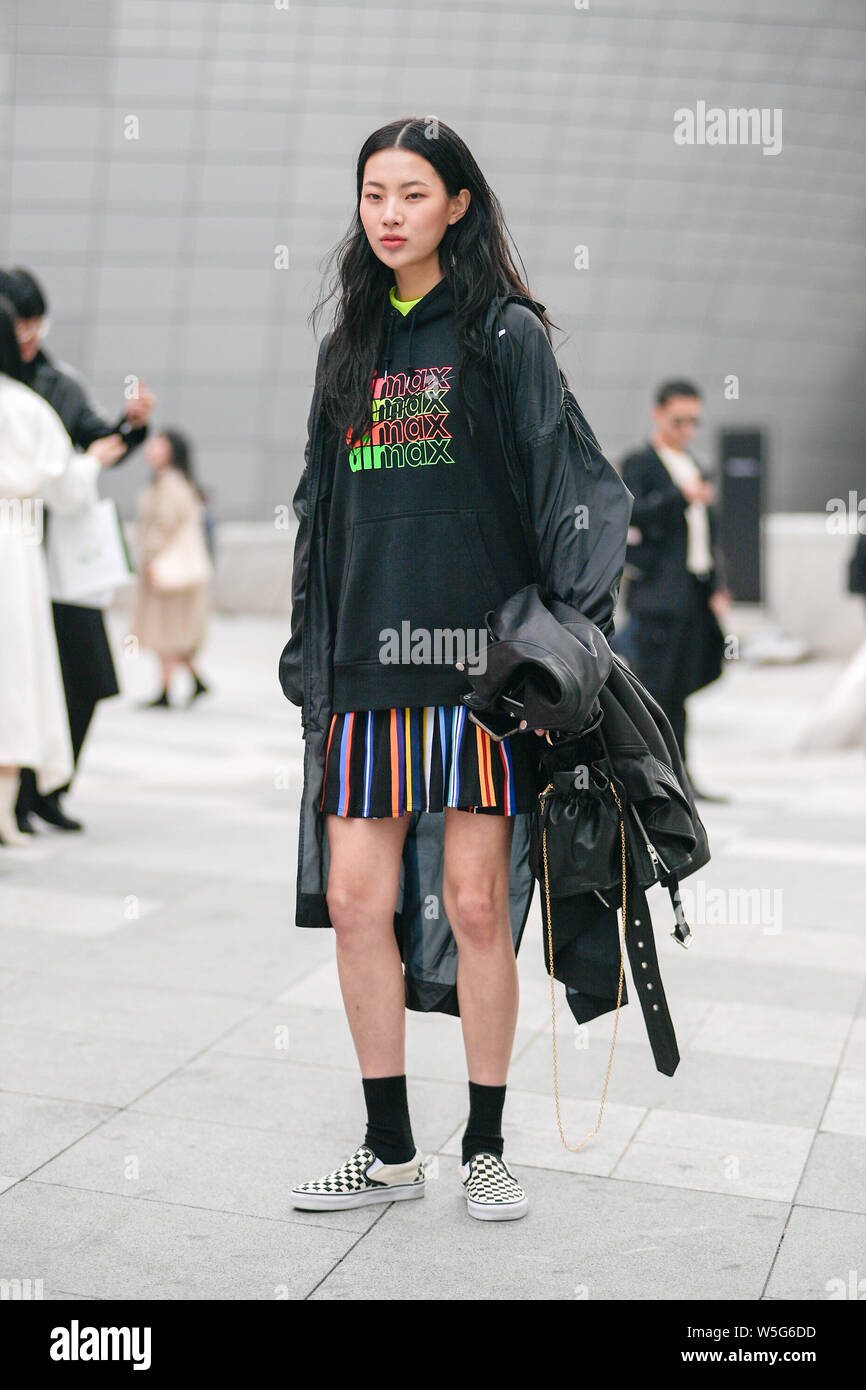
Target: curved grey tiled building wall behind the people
pixel 158 252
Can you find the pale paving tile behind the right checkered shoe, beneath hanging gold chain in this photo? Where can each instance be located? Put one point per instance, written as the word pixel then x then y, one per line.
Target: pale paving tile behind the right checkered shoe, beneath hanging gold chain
pixel 532 1135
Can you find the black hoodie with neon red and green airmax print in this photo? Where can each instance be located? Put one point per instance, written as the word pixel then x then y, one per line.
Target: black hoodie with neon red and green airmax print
pixel 423 533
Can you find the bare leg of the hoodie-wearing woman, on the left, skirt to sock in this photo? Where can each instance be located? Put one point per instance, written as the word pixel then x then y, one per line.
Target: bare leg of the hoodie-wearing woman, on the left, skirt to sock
pixel 363 883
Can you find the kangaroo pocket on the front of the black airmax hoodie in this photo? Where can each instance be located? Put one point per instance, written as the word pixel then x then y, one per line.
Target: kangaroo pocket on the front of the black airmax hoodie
pixel 432 572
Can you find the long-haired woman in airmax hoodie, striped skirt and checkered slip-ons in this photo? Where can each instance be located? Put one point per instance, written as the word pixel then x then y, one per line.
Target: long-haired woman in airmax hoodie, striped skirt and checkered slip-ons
pixel 415 522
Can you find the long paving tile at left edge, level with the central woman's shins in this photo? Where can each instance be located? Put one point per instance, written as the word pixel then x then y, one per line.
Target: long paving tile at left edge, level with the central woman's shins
pixel 112 1010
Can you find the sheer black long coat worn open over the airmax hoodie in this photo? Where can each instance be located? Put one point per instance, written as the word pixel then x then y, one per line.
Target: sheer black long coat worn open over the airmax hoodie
pixel 555 466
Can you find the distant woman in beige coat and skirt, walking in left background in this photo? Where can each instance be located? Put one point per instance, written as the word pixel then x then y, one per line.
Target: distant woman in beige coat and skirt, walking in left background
pixel 173 593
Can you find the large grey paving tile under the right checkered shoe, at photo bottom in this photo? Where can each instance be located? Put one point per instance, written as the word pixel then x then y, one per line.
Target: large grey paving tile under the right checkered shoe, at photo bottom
pixel 582 1239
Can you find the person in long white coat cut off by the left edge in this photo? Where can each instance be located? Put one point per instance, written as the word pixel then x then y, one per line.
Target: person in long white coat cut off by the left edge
pixel 38 468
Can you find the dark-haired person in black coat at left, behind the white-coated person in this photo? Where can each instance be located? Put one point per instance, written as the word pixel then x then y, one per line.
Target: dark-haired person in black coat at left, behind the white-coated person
pixel 83 643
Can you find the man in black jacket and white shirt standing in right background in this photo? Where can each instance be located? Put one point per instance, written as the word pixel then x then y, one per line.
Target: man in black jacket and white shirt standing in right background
pixel 675 568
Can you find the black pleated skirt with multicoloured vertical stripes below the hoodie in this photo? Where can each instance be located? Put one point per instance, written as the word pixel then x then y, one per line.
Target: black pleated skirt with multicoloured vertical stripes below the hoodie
pixel 389 762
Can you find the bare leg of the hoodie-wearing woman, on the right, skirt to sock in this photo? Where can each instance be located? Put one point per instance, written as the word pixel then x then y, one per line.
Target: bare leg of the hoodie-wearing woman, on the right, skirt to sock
pixel 476 900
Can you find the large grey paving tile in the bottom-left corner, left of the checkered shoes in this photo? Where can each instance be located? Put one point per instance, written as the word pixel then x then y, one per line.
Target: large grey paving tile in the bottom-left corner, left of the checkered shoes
pixel 112 1248
